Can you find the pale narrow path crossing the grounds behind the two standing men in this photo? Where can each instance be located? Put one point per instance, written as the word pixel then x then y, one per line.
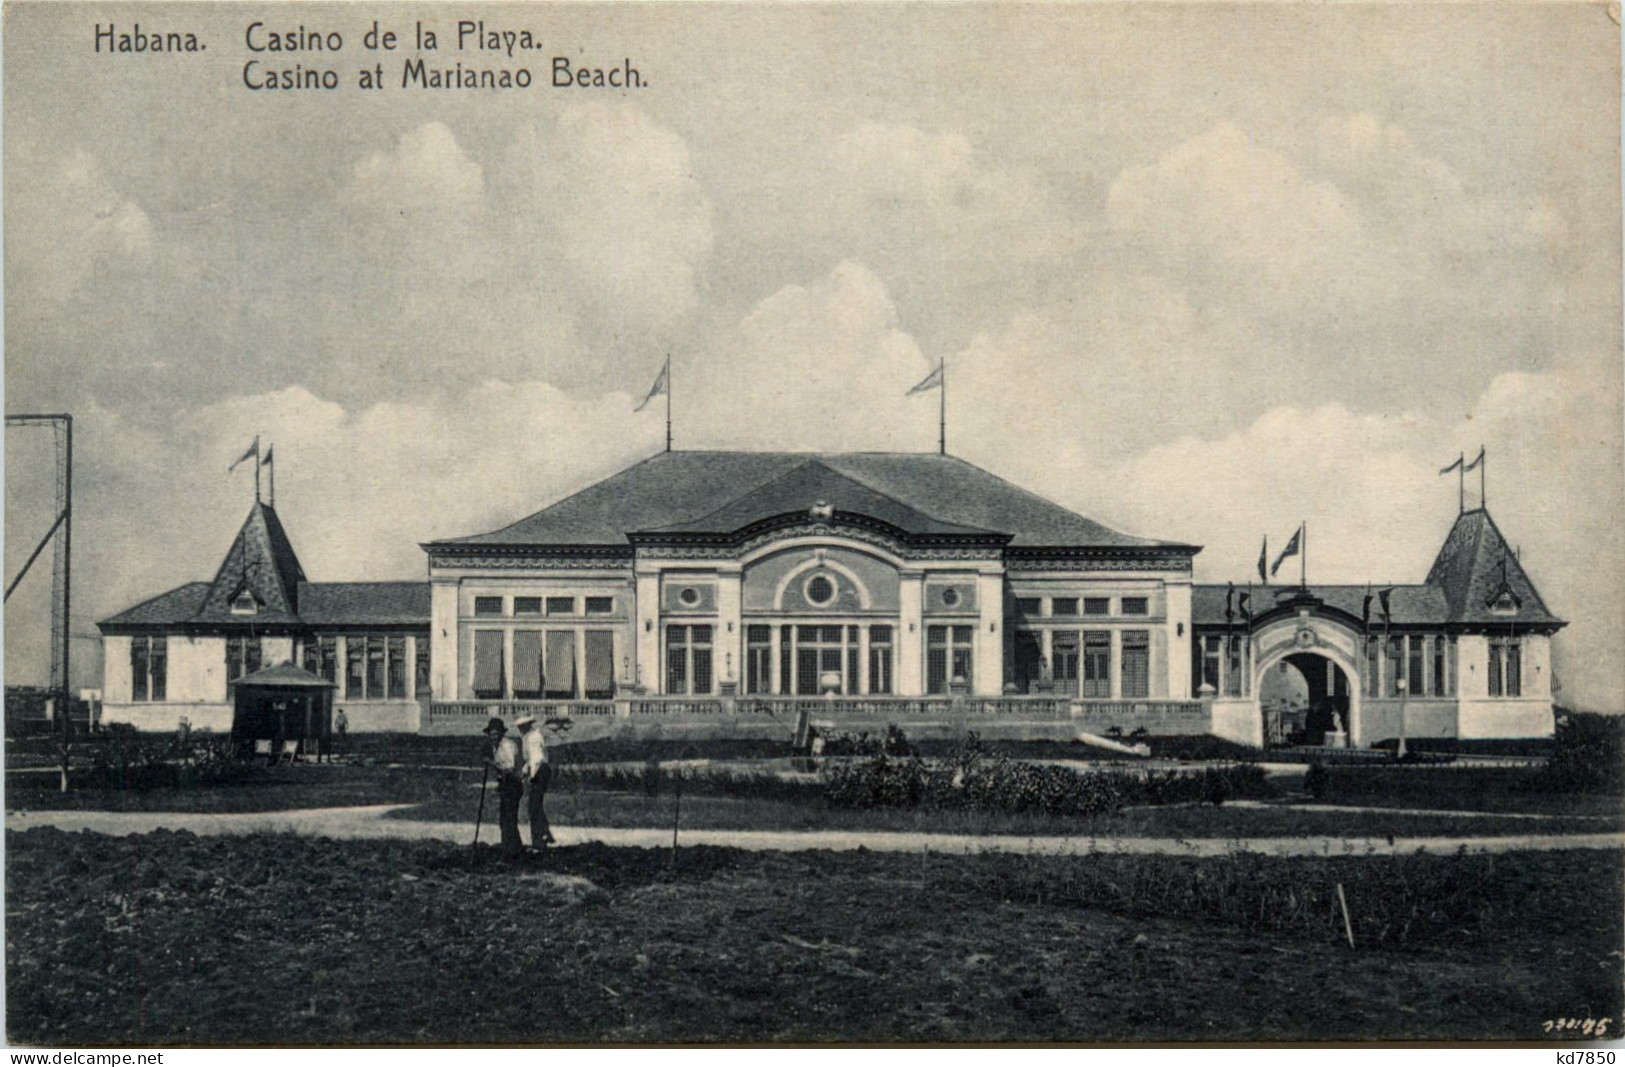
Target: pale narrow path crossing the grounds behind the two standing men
pixel 370 823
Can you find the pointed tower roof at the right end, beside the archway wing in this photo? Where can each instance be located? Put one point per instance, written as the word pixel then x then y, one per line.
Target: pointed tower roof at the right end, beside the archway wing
pixel 1476 566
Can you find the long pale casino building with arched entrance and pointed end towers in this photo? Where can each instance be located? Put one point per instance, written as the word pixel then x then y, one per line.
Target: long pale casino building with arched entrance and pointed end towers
pixel 729 590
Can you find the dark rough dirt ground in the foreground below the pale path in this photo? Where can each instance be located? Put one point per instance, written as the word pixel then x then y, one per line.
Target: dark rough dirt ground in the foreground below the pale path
pixel 173 940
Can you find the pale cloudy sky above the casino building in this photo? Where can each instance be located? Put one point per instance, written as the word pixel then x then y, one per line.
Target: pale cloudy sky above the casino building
pixel 1197 272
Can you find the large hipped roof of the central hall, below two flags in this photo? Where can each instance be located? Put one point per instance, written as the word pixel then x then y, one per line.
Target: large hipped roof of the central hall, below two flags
pixel 685 491
